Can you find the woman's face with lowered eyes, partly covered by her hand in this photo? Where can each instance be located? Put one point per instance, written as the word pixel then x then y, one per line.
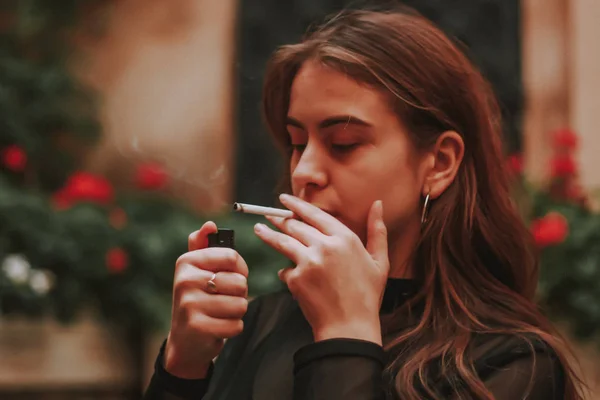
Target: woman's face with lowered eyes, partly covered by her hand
pixel 350 149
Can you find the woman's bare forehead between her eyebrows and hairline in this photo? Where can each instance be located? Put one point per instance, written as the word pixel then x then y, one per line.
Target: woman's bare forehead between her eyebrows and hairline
pixel 319 89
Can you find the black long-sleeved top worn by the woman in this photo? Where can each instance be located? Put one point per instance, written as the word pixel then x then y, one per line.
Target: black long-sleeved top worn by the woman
pixel 276 358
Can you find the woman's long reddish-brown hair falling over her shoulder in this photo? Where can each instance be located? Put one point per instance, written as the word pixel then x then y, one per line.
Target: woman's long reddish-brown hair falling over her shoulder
pixel 476 259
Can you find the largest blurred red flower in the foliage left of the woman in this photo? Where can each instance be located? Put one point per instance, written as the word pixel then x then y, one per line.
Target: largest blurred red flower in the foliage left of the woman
pixel 84 186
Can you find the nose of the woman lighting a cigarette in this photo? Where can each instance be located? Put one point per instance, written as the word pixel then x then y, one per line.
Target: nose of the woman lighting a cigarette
pixel 310 170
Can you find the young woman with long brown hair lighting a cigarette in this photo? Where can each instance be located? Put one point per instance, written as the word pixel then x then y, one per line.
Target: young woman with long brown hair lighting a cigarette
pixel 414 277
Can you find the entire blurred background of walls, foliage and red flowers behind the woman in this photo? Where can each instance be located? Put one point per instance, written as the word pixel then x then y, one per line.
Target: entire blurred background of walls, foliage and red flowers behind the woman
pixel 124 125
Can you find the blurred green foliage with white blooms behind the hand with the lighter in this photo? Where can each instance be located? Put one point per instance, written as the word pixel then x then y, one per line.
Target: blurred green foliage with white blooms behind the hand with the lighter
pixel 72 245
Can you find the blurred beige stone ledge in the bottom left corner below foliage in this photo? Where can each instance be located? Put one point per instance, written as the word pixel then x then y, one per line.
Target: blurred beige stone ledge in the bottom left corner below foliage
pixel 47 354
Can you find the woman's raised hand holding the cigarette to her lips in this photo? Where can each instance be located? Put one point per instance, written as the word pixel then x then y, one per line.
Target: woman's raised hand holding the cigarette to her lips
pixel 337 281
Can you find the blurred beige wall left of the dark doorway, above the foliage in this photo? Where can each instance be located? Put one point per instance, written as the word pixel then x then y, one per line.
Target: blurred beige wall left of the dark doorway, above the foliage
pixel 165 71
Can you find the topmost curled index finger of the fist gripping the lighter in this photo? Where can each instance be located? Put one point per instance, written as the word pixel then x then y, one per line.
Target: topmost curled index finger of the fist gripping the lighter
pixel 216 259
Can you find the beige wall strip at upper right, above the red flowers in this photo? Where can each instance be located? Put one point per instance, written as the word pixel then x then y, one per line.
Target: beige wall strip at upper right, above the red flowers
pixel 561 60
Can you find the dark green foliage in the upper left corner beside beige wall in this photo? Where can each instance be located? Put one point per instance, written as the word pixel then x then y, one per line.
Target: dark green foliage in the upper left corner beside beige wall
pixel 43 107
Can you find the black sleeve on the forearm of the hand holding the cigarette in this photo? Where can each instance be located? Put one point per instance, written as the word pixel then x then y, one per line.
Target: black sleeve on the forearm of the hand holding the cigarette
pixel 337 369
